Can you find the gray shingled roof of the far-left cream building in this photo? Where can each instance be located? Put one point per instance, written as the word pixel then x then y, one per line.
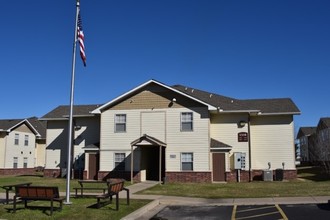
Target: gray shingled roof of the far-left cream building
pixel 39 126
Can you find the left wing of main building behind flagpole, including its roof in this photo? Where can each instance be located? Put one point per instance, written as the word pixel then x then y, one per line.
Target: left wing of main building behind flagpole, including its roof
pixel 86 138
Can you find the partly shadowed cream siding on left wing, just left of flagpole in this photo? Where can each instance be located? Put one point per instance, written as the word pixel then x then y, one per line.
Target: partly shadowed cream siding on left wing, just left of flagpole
pixel 57 141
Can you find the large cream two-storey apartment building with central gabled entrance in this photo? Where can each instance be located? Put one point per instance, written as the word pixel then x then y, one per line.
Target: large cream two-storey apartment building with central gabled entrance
pixel 175 133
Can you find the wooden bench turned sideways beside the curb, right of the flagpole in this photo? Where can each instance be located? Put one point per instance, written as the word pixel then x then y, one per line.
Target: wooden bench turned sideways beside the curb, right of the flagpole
pixel 114 189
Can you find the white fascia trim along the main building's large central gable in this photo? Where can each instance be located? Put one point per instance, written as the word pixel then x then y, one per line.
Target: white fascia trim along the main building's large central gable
pixel 99 109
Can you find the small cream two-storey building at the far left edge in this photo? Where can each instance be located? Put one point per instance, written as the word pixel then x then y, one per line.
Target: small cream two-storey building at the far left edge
pixel 22 145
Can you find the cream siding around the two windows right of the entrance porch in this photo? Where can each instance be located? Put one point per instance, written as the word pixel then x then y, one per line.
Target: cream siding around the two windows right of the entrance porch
pixel 196 141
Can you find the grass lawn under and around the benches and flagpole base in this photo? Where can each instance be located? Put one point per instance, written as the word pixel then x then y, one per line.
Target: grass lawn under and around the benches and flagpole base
pixel 81 208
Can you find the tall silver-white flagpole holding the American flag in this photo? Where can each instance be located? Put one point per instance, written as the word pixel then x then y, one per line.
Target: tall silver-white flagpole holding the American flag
pixel 68 171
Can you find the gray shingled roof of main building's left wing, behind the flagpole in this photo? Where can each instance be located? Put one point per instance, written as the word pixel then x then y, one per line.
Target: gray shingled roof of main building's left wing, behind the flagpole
pixel 63 111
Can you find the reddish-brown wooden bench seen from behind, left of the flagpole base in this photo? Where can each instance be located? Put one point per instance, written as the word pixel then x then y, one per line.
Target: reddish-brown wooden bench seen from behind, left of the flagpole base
pixel 34 193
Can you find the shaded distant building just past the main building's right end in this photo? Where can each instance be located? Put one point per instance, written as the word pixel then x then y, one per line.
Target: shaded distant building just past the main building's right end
pixel 303 138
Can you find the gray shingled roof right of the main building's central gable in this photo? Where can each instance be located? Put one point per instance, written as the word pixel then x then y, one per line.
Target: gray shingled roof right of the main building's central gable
pixel 278 105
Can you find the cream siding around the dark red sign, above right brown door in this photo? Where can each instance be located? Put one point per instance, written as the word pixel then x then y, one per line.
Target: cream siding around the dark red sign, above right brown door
pixel 224 128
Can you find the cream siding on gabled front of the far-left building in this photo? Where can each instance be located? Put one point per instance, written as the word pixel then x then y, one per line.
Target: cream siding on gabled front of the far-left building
pixel 20 151
